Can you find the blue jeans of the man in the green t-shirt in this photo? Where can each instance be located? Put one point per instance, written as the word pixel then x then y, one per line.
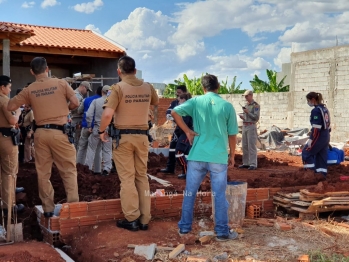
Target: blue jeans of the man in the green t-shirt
pixel 195 174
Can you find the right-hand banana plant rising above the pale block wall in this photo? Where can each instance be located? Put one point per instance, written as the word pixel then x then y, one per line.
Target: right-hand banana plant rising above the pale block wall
pixel 260 86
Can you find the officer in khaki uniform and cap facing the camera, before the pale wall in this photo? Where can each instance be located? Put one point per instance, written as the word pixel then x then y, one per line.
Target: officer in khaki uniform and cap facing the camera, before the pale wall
pixel 249 132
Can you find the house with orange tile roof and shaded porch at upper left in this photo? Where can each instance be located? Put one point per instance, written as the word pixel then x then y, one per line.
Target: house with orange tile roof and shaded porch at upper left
pixel 67 51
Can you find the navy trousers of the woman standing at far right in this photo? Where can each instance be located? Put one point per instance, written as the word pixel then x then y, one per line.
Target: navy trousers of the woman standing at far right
pixel 315 156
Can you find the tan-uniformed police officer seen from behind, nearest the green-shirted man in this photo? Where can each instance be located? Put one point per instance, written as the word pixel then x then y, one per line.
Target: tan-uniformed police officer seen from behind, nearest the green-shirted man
pixel 129 101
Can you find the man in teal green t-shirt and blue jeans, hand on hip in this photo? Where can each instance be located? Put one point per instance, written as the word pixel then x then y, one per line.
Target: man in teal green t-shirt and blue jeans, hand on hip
pixel 215 127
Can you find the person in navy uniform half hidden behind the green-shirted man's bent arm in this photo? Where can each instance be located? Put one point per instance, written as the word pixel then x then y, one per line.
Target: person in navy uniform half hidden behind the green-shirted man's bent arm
pixel 183 146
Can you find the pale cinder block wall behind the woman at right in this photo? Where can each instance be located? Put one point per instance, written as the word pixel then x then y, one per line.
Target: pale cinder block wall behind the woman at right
pixel 323 70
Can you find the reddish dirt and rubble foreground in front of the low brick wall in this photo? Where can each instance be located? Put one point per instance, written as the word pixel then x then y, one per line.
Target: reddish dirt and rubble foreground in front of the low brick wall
pixel 261 243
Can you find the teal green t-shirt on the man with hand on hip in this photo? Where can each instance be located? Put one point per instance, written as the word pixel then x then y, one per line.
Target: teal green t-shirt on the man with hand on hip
pixel 214 119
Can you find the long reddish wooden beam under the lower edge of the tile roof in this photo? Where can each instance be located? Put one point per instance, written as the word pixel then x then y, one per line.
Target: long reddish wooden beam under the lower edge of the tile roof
pixel 65 51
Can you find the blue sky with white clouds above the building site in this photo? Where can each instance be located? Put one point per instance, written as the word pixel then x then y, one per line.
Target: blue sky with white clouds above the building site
pixel 227 38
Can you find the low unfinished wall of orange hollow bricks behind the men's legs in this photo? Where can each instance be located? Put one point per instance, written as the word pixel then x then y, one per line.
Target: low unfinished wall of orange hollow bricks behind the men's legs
pixel 76 219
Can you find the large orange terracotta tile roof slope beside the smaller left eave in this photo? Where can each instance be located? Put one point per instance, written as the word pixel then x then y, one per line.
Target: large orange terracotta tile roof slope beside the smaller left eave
pixel 67 38
